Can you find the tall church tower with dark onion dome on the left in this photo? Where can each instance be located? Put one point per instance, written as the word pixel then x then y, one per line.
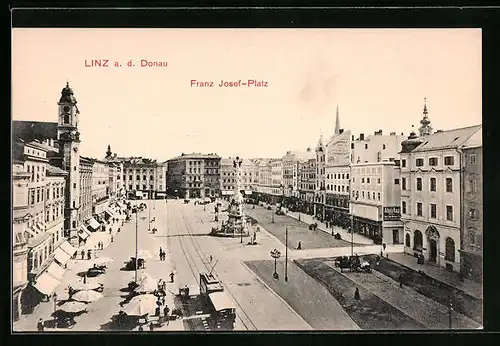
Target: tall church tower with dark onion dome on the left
pixel 69 142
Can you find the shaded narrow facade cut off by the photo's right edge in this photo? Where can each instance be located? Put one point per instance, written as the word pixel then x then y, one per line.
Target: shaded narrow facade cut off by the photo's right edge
pixel 471 247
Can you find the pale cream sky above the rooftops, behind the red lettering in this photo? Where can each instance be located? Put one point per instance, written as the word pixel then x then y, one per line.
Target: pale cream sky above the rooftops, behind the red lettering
pixel 377 78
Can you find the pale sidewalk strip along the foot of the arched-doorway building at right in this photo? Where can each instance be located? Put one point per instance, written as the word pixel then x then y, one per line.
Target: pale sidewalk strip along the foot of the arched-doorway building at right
pixel 451 278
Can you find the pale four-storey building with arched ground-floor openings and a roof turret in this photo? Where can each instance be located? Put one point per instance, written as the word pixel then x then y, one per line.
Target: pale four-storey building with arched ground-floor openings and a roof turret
pixel 431 193
